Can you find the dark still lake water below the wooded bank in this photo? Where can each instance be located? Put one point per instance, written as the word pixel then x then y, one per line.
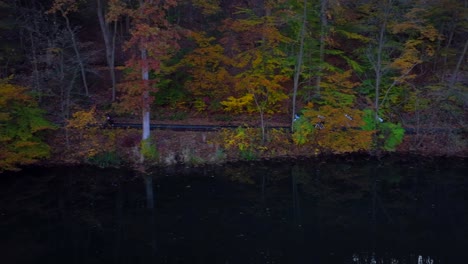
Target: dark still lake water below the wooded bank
pixel 342 211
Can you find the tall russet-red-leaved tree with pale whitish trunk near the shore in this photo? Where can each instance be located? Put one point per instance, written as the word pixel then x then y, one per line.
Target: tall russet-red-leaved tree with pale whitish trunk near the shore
pixel 153 40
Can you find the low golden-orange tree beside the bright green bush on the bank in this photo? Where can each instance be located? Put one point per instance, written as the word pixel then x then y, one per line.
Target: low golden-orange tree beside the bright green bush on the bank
pixel 333 123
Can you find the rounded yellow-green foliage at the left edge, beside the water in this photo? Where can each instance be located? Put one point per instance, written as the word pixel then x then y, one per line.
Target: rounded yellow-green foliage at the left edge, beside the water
pixel 21 126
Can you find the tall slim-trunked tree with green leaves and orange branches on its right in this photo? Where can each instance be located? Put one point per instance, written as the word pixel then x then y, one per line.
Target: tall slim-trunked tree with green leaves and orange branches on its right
pixel 400 40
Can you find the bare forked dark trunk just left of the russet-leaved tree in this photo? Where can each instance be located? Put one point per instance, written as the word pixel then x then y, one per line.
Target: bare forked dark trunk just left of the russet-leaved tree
pixel 109 41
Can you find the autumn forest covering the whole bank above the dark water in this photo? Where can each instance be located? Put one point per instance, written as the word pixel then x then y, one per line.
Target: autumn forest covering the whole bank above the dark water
pixel 345 76
